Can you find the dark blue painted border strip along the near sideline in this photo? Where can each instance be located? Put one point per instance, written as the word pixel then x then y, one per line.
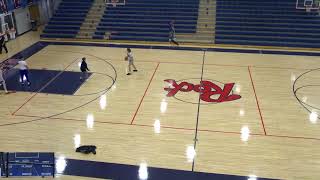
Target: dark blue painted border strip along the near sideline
pixel 103 170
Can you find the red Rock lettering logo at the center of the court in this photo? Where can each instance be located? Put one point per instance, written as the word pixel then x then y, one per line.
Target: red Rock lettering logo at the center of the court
pixel 211 91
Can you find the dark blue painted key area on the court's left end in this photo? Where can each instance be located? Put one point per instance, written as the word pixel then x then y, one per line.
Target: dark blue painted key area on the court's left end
pixel 46 81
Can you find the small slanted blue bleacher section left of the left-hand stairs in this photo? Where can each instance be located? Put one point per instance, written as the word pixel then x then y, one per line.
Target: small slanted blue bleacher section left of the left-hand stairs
pixel 67 19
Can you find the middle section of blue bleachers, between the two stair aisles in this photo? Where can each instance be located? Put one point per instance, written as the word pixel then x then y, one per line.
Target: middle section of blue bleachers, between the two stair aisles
pixel 147 20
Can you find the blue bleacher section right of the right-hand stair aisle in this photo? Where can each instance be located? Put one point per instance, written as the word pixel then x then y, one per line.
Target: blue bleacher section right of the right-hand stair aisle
pixel 266 23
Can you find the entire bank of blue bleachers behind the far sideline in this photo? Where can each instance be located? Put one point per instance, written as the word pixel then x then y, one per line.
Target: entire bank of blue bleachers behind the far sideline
pixel 238 22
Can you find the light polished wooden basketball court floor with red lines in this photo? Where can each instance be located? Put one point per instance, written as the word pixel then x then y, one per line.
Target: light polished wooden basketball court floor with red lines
pixel 266 132
